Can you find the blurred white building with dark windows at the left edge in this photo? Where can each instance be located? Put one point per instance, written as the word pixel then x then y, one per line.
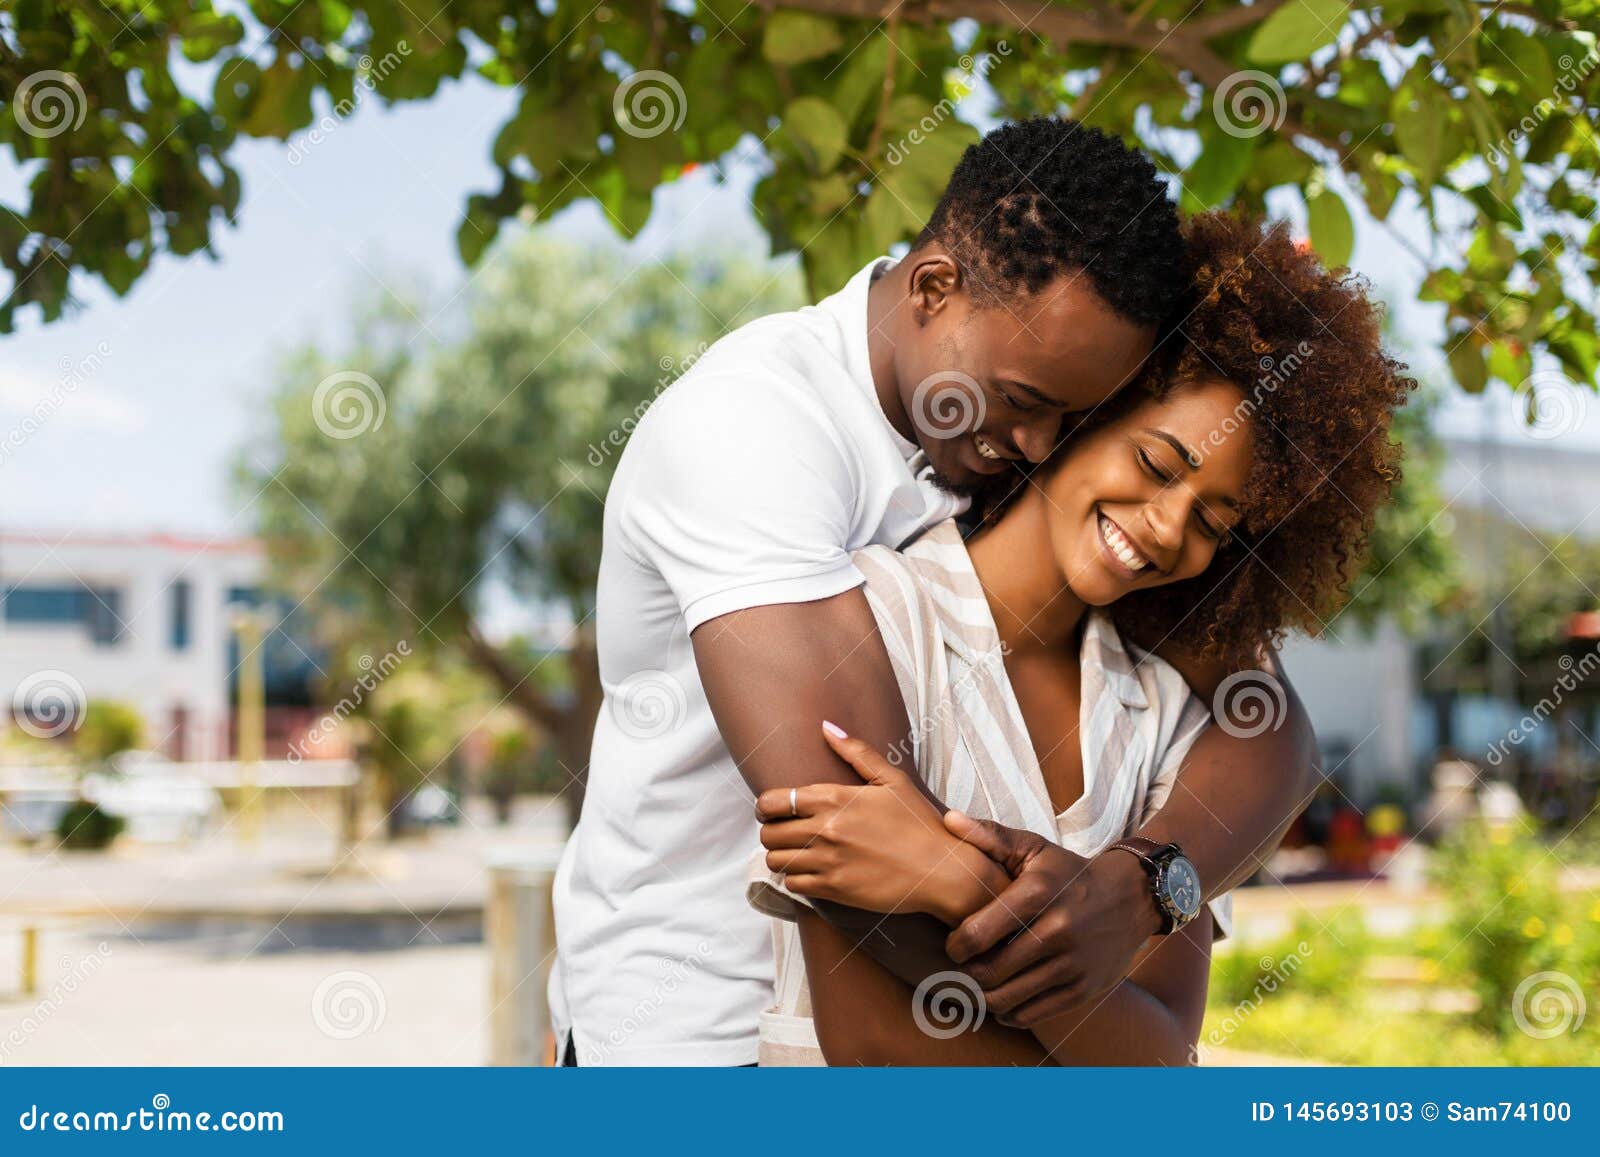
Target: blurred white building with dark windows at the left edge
pixel 145 620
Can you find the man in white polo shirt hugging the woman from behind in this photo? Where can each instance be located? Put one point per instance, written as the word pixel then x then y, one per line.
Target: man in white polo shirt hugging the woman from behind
pixel 732 622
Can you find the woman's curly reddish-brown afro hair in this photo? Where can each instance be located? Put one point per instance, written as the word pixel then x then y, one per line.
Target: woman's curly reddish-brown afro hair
pixel 1305 346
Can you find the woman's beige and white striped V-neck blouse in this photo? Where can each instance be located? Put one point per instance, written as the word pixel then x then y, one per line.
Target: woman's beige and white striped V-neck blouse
pixel 1137 723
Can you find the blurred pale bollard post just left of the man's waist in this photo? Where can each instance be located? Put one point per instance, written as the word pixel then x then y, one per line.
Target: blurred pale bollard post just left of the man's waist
pixel 521 931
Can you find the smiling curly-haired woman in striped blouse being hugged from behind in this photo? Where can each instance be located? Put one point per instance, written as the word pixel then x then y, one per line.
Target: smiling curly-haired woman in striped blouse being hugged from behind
pixel 1212 510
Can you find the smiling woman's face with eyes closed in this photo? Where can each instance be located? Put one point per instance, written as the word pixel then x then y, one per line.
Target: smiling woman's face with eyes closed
pixel 1148 498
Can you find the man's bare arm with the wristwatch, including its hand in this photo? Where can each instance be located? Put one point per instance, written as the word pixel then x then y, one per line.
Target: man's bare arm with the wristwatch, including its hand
pixel 1236 796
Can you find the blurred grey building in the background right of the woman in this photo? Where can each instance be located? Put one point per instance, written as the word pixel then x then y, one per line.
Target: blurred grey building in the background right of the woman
pixel 1380 703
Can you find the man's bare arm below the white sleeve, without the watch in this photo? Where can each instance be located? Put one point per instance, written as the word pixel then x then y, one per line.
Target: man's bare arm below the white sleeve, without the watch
pixel 772 675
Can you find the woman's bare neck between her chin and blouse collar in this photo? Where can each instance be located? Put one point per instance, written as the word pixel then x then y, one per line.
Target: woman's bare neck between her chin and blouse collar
pixel 1028 595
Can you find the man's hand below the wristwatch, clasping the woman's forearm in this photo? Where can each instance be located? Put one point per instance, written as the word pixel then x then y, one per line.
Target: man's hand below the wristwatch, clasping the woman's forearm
pixel 1062 934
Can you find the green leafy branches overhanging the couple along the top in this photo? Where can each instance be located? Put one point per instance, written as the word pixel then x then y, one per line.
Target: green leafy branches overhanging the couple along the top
pixel 1479 111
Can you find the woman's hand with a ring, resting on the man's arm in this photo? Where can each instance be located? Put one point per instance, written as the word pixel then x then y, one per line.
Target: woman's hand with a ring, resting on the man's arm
pixel 882 847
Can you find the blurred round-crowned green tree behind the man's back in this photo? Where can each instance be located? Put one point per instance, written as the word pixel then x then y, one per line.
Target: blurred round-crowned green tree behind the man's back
pixel 402 487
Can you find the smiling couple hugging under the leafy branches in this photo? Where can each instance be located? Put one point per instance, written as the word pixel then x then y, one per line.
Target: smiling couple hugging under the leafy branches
pixel 919 617
